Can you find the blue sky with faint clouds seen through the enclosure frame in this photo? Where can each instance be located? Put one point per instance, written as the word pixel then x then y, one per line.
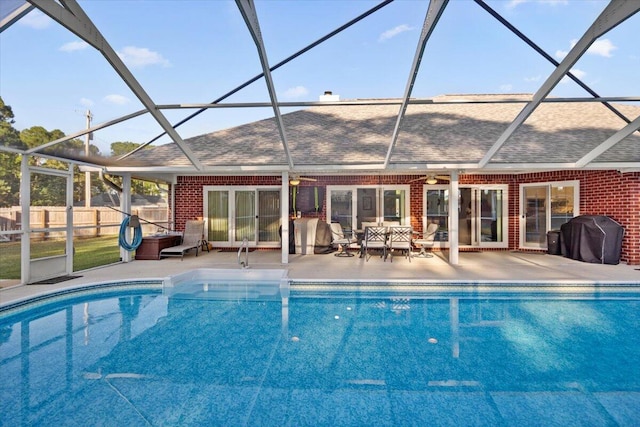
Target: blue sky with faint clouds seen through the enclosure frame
pixel 195 51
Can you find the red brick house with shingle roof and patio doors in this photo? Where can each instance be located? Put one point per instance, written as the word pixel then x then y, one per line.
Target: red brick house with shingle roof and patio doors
pixel 355 161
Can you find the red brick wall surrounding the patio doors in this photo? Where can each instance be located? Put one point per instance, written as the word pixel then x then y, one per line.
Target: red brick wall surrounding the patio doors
pixel 607 193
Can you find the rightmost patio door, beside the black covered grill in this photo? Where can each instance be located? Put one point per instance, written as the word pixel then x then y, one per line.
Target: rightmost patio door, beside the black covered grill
pixel 545 207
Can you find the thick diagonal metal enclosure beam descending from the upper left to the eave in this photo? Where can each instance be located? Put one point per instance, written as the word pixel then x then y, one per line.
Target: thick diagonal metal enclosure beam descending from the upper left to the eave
pixel 71 16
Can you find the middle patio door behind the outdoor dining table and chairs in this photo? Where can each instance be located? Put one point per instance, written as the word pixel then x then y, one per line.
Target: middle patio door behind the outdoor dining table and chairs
pixel 353 205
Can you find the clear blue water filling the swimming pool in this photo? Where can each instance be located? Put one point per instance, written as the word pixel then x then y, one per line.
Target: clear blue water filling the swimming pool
pixel 138 355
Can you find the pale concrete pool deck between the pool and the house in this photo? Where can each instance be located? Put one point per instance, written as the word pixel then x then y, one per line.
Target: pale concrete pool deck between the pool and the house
pixel 473 267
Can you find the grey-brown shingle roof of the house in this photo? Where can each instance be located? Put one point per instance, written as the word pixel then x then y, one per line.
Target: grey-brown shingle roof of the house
pixel 557 132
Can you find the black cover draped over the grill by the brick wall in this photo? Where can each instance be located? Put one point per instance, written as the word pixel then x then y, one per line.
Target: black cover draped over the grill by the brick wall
pixel 592 238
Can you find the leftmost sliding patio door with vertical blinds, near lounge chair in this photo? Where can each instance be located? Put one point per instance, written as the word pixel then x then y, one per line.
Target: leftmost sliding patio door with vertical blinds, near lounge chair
pixel 233 214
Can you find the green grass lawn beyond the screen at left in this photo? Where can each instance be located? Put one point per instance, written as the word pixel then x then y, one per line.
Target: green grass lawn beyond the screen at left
pixel 89 252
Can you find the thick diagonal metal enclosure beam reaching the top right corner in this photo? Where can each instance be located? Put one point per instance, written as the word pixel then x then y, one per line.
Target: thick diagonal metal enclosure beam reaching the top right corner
pixel 615 12
